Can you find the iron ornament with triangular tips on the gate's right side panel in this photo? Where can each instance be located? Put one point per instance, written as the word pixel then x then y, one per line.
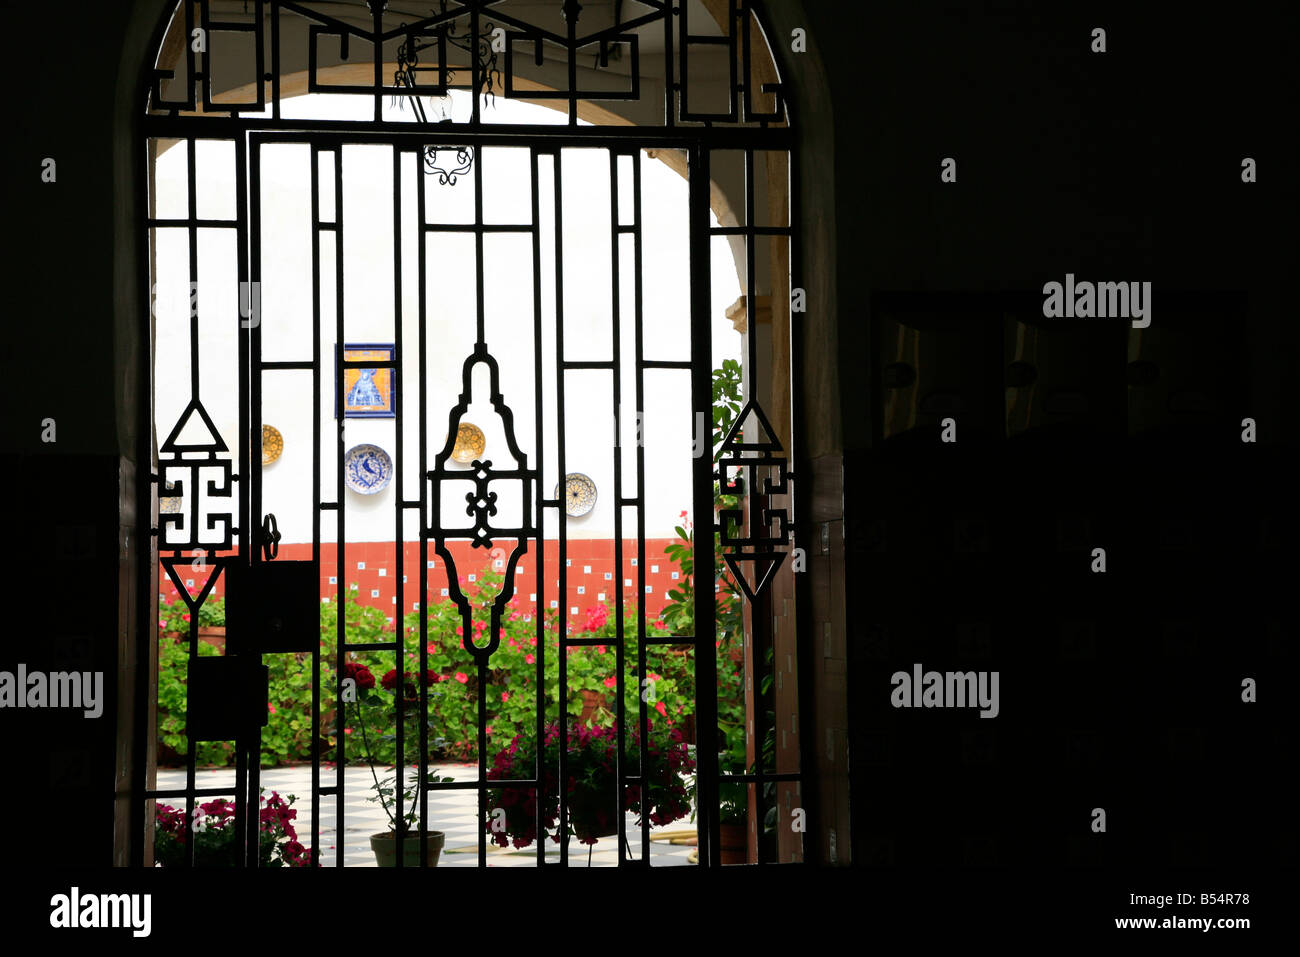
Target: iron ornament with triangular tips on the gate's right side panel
pixel 768 469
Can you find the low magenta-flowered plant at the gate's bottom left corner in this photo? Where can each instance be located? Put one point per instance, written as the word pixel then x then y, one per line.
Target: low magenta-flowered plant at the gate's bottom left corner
pixel 215 835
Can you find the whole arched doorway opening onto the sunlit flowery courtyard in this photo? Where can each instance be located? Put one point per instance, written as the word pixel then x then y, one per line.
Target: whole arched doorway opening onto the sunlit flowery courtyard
pixel 729 136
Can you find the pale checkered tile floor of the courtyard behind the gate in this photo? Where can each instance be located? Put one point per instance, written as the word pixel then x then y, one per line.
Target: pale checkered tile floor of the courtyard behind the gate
pixel 452 812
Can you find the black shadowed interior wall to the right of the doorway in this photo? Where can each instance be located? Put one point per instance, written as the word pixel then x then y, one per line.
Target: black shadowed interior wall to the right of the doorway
pixel 1120 691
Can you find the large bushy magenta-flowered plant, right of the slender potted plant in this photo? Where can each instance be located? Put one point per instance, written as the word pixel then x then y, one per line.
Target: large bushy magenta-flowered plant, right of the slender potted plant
pixel 591 790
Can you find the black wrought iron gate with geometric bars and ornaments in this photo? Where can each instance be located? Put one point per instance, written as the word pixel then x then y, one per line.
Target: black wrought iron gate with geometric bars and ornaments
pixel 514 501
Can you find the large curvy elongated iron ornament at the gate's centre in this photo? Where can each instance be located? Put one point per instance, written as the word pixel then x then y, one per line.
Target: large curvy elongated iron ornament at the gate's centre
pixel 482 505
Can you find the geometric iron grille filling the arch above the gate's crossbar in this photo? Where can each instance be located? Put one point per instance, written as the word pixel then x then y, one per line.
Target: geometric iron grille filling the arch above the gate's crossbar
pixel 484 46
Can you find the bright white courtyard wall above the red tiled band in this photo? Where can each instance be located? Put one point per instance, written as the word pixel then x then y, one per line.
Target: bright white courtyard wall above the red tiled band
pixel 369 306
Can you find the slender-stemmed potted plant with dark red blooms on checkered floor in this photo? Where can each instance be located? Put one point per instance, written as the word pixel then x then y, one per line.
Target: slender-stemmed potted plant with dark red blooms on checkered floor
pixel 404 832
